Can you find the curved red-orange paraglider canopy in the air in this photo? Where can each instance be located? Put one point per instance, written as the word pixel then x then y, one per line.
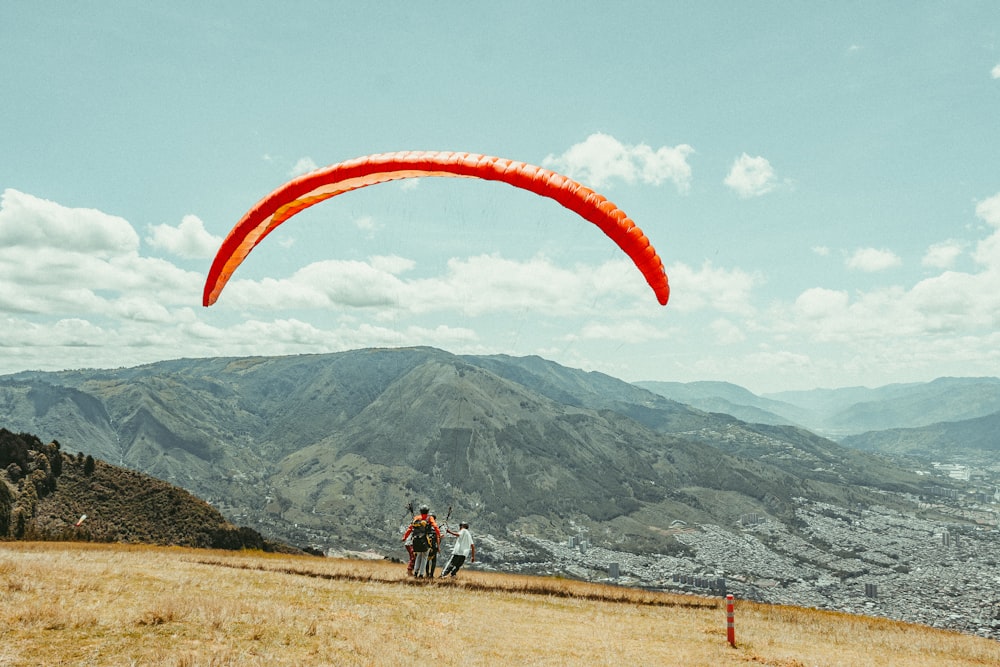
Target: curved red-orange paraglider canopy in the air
pixel 314 187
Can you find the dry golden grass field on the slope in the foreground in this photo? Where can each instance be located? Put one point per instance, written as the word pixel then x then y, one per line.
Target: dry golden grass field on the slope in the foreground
pixel 82 604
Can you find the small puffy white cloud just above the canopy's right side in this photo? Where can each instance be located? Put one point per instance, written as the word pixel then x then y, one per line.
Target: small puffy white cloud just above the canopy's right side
pixel 601 159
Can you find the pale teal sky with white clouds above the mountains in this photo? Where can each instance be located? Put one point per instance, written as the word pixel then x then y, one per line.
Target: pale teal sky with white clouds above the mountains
pixel 821 181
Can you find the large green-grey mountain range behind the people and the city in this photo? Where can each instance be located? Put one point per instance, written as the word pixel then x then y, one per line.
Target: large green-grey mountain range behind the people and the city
pixel 331 449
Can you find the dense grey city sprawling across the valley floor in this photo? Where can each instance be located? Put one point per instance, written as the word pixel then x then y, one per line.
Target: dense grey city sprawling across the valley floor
pixel 935 564
